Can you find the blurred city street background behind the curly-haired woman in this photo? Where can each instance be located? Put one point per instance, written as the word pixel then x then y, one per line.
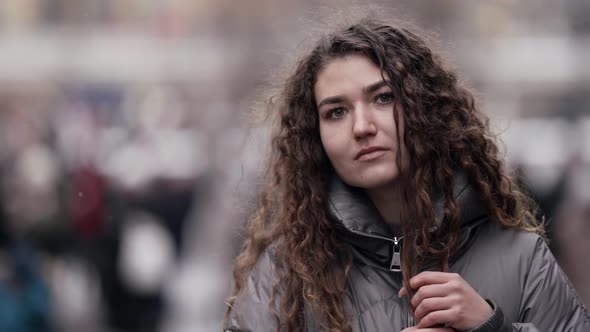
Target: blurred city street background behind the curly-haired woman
pixel 128 163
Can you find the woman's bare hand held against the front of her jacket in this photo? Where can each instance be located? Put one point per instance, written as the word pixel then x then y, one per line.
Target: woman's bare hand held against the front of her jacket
pixel 446 299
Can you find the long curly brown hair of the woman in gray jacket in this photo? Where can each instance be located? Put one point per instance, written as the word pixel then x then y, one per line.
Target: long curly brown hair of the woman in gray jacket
pixel 444 131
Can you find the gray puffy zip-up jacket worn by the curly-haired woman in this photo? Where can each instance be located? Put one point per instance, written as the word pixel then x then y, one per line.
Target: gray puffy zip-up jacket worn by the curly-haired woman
pixel 513 270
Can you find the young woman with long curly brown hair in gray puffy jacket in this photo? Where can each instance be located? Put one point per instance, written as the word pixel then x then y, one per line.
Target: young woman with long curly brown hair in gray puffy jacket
pixel 389 207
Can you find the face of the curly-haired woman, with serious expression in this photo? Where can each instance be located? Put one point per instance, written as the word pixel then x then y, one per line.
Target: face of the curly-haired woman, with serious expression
pixel 357 123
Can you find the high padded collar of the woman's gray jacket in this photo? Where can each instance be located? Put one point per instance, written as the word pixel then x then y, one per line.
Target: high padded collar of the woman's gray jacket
pixel 363 227
